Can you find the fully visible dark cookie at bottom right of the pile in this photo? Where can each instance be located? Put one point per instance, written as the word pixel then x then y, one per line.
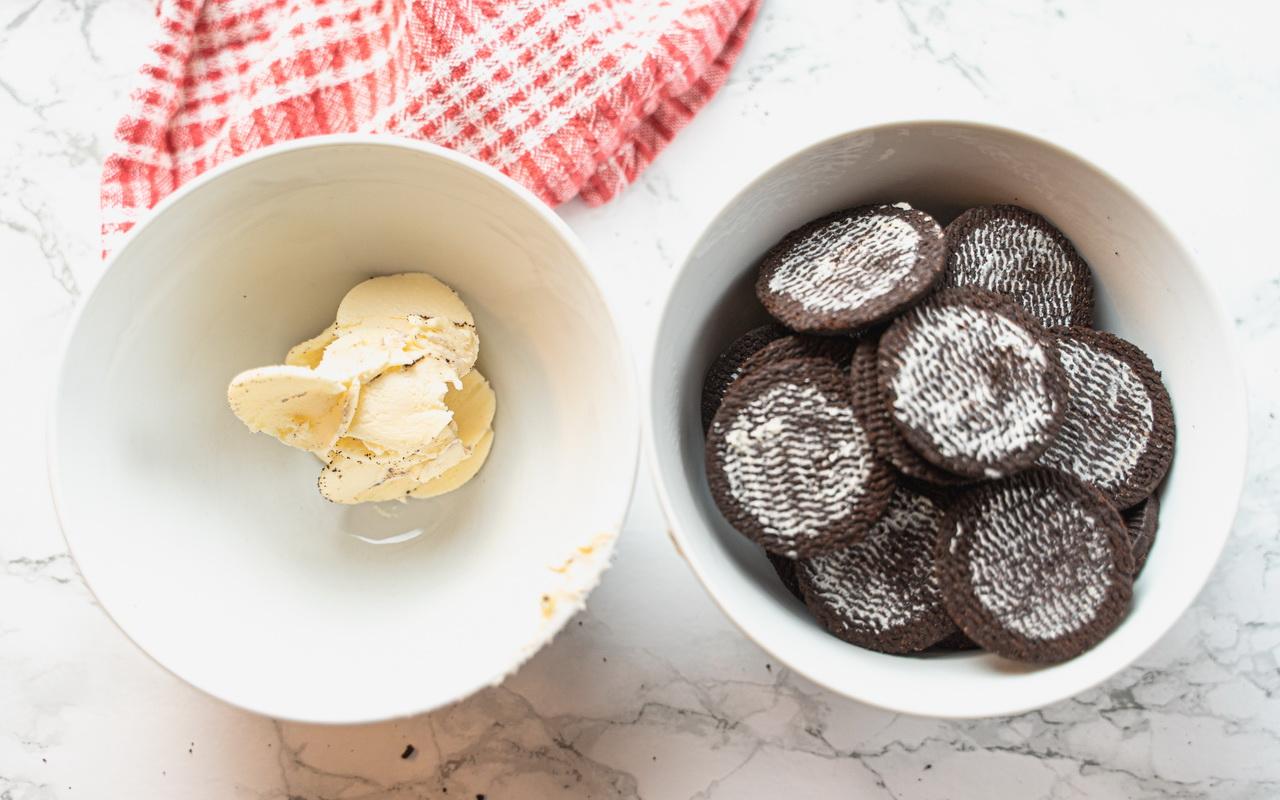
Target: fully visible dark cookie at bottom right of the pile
pixel 1036 568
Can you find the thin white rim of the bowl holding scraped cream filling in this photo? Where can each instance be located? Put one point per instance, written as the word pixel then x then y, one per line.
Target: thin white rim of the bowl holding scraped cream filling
pixel 527 198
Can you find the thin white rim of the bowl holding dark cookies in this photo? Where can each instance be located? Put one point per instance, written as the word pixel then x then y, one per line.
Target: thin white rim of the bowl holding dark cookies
pixel 682 533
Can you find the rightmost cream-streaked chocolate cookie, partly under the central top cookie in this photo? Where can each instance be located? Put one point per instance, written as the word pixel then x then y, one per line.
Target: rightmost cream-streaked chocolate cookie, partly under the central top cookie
pixel 1119 428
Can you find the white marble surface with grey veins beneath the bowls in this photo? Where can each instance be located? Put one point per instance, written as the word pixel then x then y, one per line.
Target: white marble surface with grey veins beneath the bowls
pixel 651 693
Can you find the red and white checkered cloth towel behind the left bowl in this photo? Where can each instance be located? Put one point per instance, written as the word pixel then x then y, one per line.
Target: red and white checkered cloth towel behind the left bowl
pixel 566 97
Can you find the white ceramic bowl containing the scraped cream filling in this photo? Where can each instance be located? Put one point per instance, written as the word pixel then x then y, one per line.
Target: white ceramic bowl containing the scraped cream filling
pixel 211 547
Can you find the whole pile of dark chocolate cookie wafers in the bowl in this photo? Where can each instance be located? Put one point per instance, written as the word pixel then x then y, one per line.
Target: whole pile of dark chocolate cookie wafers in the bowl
pixel 932 444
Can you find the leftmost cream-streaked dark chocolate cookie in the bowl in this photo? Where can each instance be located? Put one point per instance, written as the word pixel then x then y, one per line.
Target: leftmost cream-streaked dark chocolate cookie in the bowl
pixel 789 464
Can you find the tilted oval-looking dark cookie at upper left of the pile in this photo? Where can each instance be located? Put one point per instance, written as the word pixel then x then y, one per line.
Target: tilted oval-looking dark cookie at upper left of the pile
pixel 852 269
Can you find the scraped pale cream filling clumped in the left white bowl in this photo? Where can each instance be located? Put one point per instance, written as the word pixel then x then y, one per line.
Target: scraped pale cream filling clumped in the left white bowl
pixel 388 396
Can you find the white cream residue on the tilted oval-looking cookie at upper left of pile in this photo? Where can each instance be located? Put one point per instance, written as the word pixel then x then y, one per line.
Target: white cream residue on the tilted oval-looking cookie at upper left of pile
pixel 848 263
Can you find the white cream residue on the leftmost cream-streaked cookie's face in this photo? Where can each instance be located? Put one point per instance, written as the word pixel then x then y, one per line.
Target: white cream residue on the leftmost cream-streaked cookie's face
pixel 785 469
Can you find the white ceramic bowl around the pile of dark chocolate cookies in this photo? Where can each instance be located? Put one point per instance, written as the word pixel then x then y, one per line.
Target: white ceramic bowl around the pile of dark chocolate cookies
pixel 1149 292
